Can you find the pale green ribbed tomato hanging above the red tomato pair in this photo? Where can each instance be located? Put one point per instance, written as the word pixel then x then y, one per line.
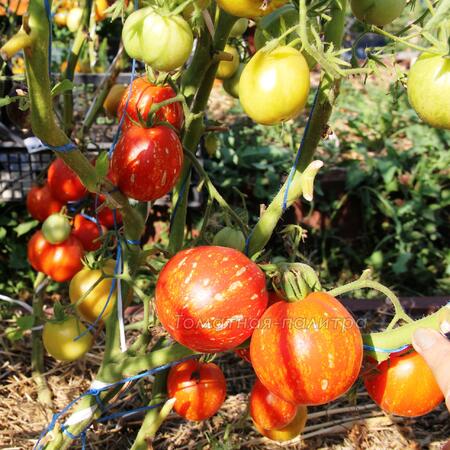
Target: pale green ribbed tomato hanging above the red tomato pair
pixel 162 42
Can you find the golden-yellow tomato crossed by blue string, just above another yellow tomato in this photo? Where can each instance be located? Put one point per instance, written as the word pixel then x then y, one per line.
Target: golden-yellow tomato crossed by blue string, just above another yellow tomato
pixel 94 302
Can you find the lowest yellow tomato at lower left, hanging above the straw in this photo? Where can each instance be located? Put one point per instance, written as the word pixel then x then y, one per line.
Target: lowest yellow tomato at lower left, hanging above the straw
pixel 59 339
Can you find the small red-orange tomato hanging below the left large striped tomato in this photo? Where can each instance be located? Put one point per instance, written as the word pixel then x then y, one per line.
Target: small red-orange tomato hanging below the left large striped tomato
pixel 199 389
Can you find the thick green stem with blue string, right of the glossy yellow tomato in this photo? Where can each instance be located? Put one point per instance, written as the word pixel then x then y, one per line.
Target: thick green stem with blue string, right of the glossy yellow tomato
pixel 317 124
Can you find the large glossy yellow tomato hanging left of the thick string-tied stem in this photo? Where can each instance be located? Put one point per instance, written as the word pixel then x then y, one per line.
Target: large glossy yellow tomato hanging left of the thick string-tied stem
pixel 274 85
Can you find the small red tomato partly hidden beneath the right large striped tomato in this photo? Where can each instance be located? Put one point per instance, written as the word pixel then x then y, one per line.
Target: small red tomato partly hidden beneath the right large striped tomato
pixel 268 411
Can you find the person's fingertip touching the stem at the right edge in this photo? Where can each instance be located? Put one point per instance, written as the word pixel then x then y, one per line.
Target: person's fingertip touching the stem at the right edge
pixel 435 349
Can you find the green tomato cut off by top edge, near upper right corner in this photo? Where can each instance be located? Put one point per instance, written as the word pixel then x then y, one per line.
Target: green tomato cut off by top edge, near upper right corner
pixel 377 12
